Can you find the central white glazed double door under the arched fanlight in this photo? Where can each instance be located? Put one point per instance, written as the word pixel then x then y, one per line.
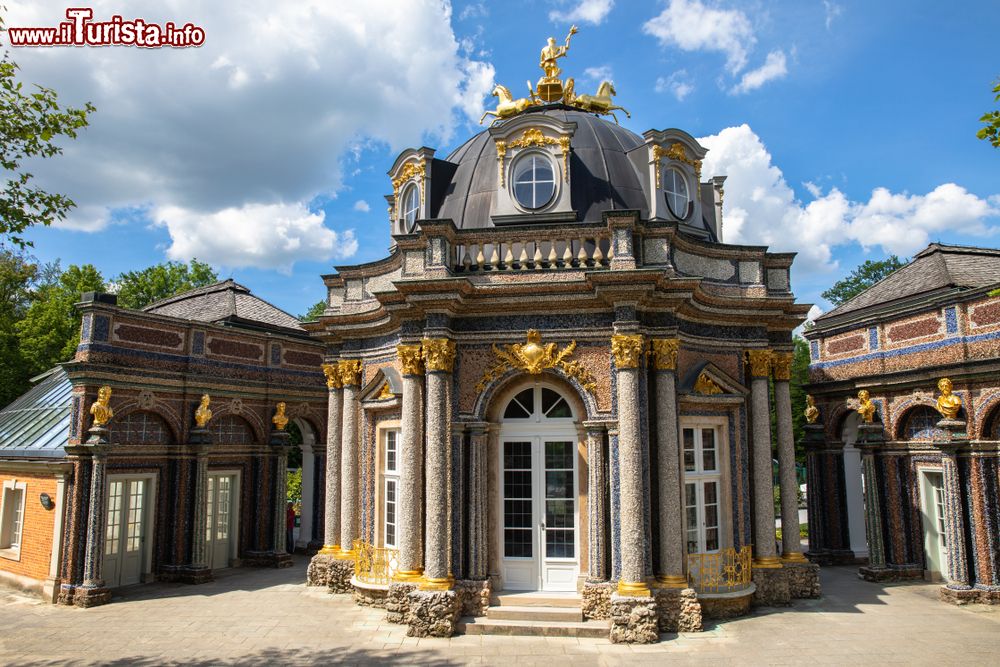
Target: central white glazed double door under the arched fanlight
pixel 539 527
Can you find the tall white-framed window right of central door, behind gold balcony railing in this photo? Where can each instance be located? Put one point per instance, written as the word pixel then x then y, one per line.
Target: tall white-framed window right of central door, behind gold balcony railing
pixel 699 476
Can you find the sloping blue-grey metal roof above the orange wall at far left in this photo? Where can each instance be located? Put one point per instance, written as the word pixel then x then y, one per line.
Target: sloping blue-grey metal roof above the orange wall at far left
pixel 37 423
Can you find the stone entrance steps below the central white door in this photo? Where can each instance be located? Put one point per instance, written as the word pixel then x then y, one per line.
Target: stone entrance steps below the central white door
pixel 535 614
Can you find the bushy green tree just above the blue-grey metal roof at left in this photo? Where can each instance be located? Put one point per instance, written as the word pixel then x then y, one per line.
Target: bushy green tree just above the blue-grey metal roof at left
pixel 50 330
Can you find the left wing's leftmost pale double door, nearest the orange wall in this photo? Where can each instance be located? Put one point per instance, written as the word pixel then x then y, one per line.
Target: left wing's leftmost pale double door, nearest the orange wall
pixel 126 530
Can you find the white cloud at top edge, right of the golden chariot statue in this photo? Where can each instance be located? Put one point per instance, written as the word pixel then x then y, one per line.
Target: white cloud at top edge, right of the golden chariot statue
pixel 692 26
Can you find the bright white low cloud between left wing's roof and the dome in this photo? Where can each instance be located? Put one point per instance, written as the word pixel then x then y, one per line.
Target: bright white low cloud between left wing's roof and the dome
pixel 259 235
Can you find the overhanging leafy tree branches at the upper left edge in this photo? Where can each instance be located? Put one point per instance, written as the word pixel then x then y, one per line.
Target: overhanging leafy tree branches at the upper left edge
pixel 29 124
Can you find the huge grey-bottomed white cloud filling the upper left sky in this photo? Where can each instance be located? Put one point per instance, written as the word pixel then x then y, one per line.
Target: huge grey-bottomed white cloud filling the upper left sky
pixel 260 116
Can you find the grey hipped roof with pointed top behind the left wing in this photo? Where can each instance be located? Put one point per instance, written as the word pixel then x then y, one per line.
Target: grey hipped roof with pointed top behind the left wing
pixel 224 302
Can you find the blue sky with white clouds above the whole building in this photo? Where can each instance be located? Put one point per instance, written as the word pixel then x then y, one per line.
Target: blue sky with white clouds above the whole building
pixel 846 129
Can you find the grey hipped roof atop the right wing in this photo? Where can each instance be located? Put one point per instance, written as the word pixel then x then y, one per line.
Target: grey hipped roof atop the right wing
pixel 936 268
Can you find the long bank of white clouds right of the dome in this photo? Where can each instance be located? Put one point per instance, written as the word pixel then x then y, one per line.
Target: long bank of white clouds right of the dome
pixel 760 207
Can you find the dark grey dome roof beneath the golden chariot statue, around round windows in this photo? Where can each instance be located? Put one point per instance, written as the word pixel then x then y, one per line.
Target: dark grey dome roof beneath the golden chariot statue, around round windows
pixel 603 177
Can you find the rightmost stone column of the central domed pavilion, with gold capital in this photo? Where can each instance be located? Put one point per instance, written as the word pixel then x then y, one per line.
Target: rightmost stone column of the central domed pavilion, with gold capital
pixel 791 545
